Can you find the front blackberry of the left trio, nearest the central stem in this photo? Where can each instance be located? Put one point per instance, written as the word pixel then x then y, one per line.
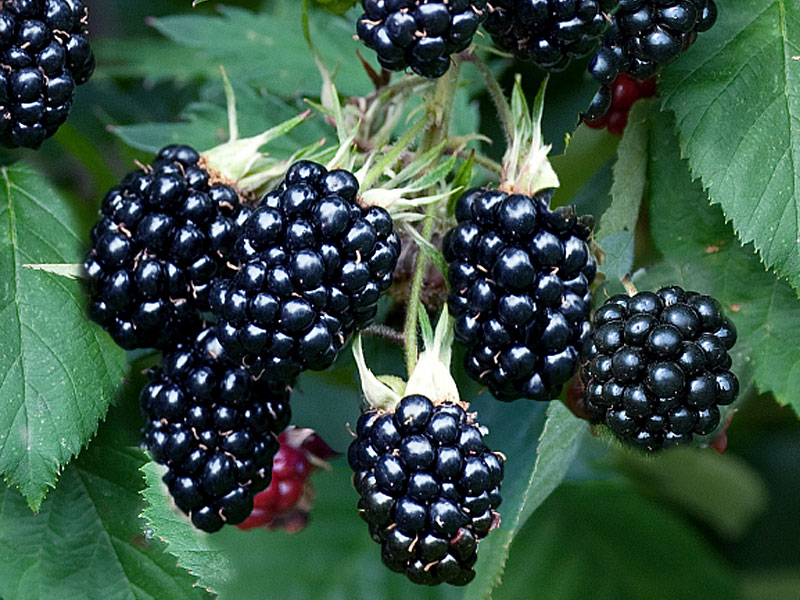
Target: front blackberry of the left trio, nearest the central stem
pixel 313 264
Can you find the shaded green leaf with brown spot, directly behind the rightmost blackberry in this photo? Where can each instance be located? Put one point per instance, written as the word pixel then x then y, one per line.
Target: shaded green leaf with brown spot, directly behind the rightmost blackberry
pixel 703 254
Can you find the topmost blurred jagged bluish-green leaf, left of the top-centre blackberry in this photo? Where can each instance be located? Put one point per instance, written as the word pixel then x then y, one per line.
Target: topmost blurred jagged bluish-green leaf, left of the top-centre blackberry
pixel 265 48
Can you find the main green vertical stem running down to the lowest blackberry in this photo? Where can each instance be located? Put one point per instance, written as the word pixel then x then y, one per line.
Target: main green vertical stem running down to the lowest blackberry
pixel 440 108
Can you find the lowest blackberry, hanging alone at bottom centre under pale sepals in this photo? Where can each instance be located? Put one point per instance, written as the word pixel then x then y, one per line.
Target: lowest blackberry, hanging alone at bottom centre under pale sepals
pixel 429 488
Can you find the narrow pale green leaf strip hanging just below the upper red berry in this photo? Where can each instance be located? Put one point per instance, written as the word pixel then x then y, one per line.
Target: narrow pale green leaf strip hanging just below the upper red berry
pixel 630 175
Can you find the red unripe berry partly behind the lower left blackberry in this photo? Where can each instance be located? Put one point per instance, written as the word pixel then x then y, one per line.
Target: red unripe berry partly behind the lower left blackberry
pixel 288 500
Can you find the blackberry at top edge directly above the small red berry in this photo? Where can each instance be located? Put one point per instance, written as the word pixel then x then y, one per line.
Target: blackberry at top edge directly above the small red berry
pixel 644 36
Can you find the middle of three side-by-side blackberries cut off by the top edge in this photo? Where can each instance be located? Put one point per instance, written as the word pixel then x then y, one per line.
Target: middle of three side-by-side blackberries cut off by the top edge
pixel 548 33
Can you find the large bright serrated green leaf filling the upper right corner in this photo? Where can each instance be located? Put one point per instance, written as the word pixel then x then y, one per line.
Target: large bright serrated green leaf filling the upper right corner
pixel 737 103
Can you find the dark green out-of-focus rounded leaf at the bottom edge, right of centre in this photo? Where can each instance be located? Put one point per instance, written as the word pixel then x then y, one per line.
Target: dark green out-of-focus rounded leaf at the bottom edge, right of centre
pixel 602 540
